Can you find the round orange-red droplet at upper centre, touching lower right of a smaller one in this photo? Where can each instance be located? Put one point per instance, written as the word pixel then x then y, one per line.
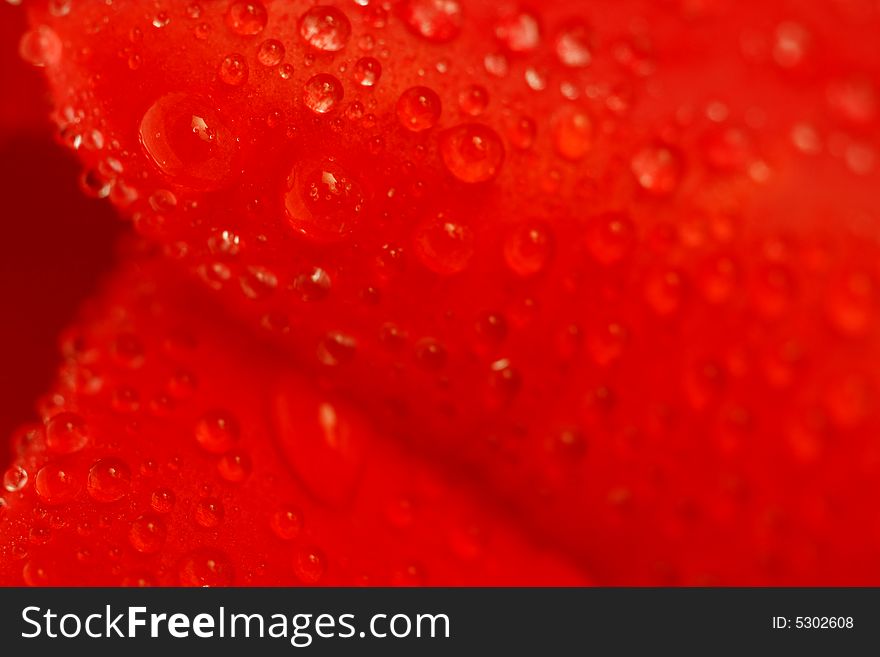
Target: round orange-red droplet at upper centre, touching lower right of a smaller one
pixel 472 152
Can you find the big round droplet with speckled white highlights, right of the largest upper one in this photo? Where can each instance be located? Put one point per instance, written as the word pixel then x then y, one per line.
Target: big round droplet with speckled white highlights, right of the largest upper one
pixel 324 203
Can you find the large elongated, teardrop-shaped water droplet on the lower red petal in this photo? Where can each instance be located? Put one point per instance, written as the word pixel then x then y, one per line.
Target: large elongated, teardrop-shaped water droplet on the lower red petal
pixel 324 445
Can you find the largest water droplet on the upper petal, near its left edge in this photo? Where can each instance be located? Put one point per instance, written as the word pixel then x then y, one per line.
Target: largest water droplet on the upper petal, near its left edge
pixel 187 140
